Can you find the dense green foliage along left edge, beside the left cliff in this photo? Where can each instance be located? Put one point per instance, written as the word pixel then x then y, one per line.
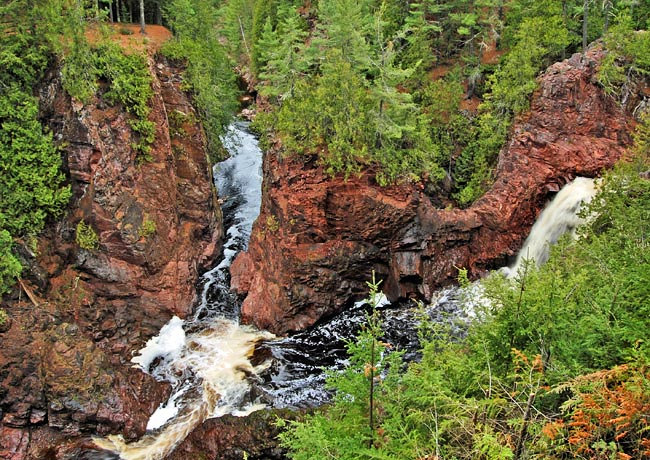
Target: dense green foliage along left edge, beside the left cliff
pixel 32 183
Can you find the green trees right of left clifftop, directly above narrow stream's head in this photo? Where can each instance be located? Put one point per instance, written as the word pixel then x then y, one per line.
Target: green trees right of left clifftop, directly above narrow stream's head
pixel 209 72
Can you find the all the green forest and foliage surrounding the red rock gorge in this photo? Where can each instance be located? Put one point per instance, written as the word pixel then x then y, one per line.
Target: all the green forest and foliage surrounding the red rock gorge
pixel 557 363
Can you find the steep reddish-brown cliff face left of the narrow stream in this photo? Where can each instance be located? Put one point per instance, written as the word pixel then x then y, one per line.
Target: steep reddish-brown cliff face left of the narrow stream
pixel 65 364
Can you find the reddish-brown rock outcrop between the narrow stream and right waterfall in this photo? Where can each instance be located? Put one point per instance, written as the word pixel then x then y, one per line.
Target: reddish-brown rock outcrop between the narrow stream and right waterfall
pixel 317 239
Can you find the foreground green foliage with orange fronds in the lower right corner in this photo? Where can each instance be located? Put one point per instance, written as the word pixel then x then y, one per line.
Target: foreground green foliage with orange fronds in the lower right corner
pixel 499 393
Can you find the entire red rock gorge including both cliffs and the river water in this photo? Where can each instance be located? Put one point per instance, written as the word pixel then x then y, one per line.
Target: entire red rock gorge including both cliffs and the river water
pixel 188 340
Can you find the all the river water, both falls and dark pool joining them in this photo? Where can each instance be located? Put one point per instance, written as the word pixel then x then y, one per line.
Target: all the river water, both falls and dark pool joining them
pixel 207 359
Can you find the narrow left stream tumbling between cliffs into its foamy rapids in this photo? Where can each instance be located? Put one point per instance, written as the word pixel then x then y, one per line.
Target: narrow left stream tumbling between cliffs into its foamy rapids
pixel 207 359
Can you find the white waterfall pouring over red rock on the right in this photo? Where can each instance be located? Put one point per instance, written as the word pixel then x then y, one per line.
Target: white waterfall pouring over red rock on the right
pixel 560 216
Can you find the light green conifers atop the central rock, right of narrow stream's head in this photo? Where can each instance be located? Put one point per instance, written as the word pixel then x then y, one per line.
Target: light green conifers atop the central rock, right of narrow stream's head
pixel 364 119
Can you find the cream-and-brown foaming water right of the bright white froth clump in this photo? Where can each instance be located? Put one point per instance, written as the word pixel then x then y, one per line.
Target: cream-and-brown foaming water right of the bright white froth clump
pixel 219 358
